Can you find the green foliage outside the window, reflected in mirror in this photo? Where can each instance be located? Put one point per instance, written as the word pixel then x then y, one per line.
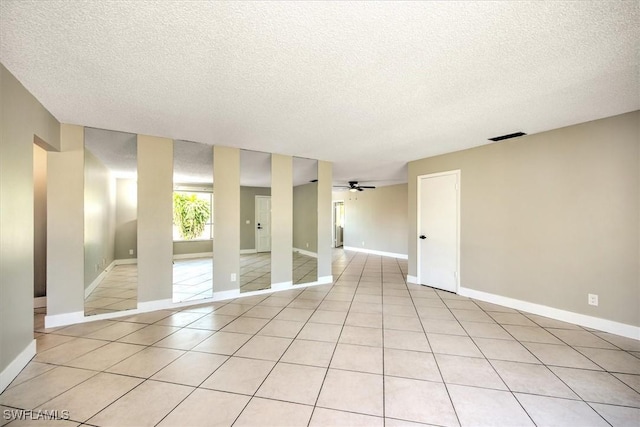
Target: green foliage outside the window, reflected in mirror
pixel 190 214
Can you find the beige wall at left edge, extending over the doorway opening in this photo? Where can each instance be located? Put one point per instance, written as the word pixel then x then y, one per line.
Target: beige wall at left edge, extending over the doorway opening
pixel 21 118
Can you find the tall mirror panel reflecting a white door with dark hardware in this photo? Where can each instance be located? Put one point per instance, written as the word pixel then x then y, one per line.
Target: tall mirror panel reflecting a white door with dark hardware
pixel 255 221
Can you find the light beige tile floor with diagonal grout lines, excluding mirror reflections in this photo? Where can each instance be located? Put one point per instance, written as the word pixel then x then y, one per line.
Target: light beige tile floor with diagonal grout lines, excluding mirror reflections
pixel 368 350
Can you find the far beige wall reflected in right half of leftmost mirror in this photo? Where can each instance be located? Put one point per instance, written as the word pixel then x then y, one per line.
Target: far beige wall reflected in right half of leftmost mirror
pixel 126 237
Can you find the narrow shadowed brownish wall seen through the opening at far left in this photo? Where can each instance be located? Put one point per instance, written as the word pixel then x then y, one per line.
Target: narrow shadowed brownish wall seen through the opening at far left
pixel 39 221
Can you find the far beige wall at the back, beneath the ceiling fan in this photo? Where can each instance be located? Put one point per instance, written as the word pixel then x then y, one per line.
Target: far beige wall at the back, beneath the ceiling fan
pixel 377 217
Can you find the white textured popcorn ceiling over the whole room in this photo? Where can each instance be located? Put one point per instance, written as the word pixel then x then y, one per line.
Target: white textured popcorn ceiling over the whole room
pixel 366 85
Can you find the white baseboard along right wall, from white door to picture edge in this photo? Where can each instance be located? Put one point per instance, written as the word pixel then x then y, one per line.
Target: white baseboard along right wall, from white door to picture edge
pixel 605 325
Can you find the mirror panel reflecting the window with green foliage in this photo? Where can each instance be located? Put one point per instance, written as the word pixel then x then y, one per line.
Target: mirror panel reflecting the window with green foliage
pixel 192 221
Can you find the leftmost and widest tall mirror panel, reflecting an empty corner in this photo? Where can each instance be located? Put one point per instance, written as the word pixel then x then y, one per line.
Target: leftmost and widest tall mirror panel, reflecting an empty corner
pixel 110 221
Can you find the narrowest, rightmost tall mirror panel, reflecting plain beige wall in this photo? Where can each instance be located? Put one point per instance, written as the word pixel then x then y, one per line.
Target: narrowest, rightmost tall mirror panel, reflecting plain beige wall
pixel 305 220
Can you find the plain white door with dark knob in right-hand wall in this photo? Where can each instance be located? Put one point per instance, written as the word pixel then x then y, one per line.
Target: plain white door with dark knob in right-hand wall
pixel 438 233
